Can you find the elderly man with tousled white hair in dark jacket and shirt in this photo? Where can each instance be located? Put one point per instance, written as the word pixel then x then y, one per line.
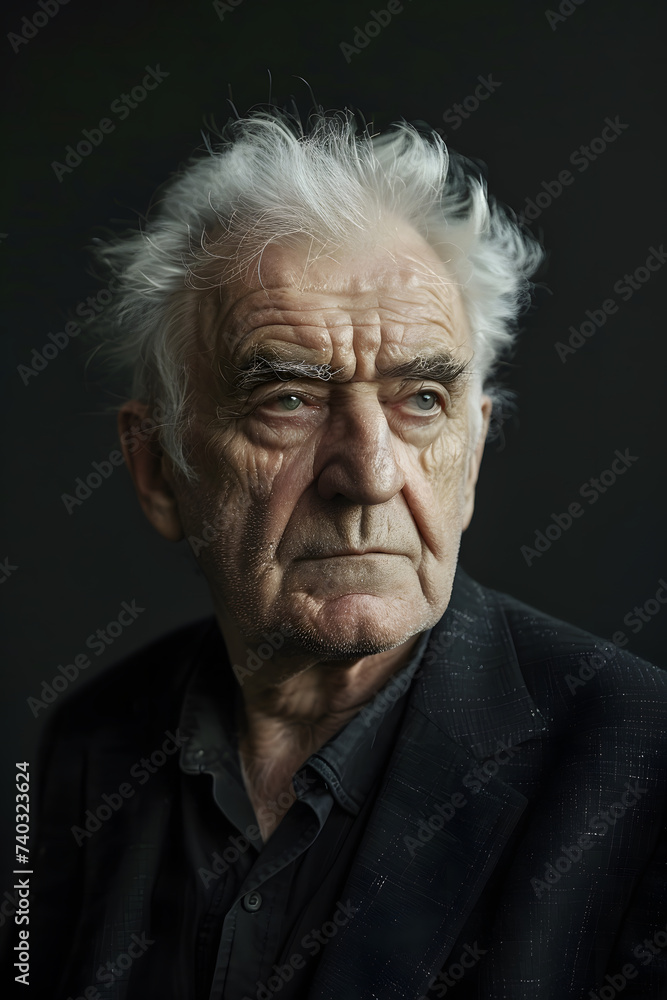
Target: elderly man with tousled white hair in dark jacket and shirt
pixel 368 776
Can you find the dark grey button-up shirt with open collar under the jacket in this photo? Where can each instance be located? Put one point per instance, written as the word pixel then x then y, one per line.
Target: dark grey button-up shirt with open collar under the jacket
pixel 259 915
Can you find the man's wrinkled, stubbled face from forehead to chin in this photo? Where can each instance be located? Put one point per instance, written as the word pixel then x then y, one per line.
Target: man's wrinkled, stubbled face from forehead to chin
pixel 335 504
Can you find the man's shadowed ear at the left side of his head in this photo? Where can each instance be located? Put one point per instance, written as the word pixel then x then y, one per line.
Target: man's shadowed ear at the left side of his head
pixel 150 469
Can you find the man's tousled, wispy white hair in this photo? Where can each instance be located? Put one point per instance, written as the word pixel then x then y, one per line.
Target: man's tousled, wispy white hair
pixel 330 182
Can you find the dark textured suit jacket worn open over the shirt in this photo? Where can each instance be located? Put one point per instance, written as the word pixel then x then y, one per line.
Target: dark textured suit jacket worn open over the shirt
pixel 517 848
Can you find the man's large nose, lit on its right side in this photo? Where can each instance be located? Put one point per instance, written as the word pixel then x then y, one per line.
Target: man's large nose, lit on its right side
pixel 356 458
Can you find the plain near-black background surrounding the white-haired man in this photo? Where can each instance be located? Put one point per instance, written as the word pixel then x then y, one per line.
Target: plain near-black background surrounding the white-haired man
pixel 556 89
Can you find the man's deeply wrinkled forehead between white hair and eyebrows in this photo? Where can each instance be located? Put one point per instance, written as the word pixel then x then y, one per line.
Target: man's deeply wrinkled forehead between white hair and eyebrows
pixel 393 299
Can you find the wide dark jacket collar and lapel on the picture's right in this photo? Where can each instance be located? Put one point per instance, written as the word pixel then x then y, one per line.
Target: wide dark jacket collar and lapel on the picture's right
pixel 436 832
